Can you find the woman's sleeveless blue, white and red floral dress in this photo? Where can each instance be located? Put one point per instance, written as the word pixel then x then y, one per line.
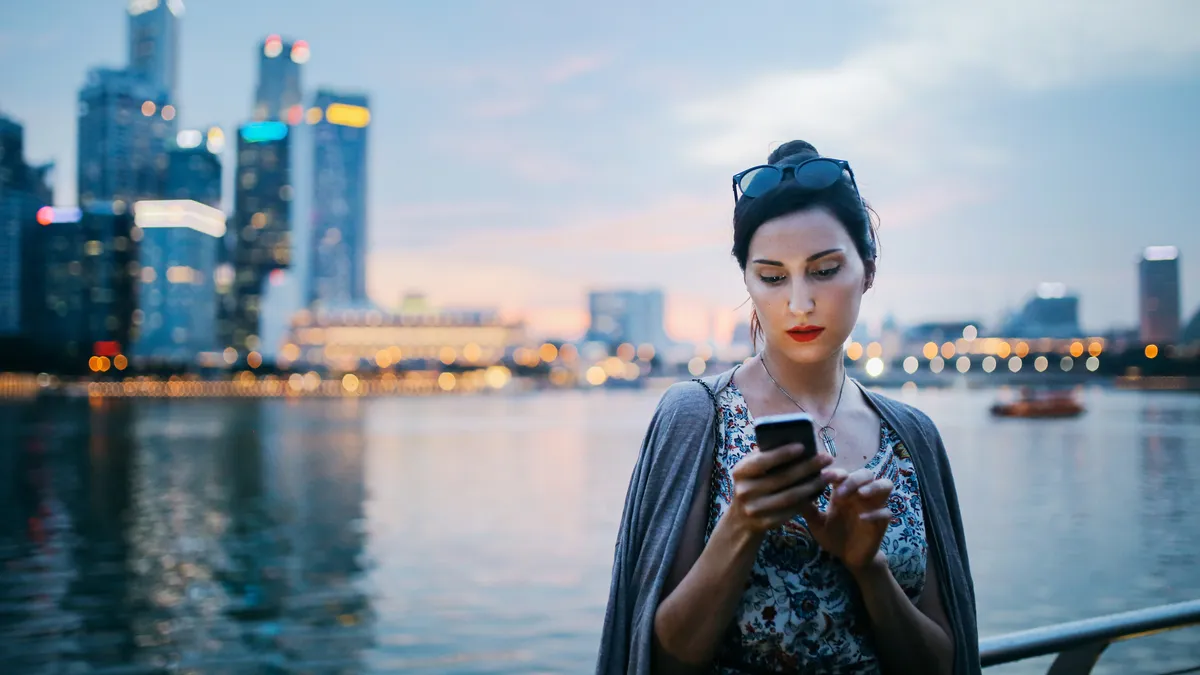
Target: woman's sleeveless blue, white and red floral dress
pixel 801 612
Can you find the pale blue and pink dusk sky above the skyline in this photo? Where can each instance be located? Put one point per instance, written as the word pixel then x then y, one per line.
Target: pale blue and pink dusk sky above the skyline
pixel 525 153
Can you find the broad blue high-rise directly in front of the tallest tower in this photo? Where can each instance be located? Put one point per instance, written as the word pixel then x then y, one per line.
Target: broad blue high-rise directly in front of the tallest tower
pixel 124 124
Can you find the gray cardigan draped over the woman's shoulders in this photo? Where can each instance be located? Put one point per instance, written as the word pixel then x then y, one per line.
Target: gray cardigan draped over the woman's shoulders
pixel 679 450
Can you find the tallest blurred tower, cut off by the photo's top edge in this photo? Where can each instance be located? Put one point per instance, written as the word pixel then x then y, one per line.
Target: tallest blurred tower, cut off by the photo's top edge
pixel 154 44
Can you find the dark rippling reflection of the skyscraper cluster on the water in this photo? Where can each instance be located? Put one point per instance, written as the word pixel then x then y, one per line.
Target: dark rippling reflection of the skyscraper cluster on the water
pixel 182 535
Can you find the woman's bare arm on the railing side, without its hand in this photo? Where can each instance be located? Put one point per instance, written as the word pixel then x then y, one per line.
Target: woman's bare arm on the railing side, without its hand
pixel 910 638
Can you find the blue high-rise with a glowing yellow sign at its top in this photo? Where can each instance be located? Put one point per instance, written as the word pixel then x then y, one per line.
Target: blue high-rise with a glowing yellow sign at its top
pixel 340 200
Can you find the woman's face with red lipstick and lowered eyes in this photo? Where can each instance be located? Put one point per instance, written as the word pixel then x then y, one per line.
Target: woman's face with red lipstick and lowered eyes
pixel 806 280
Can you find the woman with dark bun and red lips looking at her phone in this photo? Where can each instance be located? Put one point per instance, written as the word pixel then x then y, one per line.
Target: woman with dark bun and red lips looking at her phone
pixel 735 561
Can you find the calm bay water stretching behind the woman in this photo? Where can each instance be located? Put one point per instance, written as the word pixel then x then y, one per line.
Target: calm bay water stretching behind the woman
pixel 475 535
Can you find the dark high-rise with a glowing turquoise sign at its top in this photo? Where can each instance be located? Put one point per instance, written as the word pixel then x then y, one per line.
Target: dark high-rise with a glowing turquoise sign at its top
pixel 263 193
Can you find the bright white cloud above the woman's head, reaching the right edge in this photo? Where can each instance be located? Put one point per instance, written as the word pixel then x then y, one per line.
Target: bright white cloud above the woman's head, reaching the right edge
pixel 881 103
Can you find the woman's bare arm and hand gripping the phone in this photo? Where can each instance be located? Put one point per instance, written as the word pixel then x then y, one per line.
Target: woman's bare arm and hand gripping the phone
pixel 706 582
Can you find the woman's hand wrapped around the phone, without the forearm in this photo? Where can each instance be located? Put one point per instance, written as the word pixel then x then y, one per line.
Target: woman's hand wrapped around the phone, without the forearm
pixel 771 488
